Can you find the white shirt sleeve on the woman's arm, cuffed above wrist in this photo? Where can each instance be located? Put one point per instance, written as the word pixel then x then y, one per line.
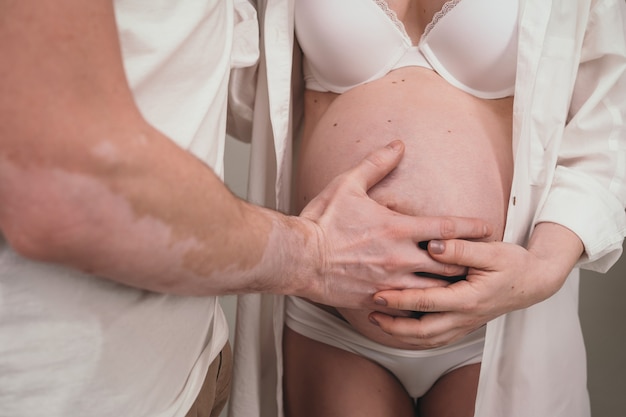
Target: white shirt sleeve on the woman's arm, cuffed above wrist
pixel 588 191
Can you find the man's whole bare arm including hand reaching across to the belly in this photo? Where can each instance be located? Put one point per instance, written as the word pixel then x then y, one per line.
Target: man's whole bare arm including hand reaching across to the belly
pixel 86 182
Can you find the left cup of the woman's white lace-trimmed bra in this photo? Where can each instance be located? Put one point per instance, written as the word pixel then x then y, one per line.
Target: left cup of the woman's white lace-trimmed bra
pixel 350 46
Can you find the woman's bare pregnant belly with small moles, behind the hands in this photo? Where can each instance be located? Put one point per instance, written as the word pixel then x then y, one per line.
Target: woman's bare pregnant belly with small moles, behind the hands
pixel 458 158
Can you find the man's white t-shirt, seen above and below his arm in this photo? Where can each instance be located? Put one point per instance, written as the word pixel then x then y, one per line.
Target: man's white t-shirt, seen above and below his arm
pixel 72 344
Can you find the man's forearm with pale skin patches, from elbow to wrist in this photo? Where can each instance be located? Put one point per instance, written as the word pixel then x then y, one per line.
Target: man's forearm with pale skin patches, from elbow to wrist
pixel 156 218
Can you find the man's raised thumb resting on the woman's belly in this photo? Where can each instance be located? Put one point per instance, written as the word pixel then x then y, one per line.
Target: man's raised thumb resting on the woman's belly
pixel 378 164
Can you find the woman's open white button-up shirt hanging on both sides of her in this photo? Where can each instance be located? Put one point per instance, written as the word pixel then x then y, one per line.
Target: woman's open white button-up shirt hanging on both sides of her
pixel 570 168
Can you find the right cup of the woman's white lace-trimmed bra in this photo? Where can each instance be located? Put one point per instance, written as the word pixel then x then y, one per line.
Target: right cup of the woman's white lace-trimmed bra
pixel 474 60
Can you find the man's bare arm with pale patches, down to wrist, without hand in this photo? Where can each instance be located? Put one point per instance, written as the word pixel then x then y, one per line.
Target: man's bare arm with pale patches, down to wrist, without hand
pixel 86 182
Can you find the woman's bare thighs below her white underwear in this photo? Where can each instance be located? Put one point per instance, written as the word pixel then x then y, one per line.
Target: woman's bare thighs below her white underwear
pixel 321 380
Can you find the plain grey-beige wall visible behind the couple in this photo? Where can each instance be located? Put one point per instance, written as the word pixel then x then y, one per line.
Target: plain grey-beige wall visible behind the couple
pixel 602 310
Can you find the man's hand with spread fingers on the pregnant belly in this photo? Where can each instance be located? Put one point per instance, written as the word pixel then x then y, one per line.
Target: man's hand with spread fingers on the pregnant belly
pixel 365 247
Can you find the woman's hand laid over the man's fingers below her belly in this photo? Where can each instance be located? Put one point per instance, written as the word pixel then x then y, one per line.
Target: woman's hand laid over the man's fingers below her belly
pixel 502 277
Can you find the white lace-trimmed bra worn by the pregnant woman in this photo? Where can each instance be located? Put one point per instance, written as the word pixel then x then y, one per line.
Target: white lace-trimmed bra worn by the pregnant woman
pixel 472 44
